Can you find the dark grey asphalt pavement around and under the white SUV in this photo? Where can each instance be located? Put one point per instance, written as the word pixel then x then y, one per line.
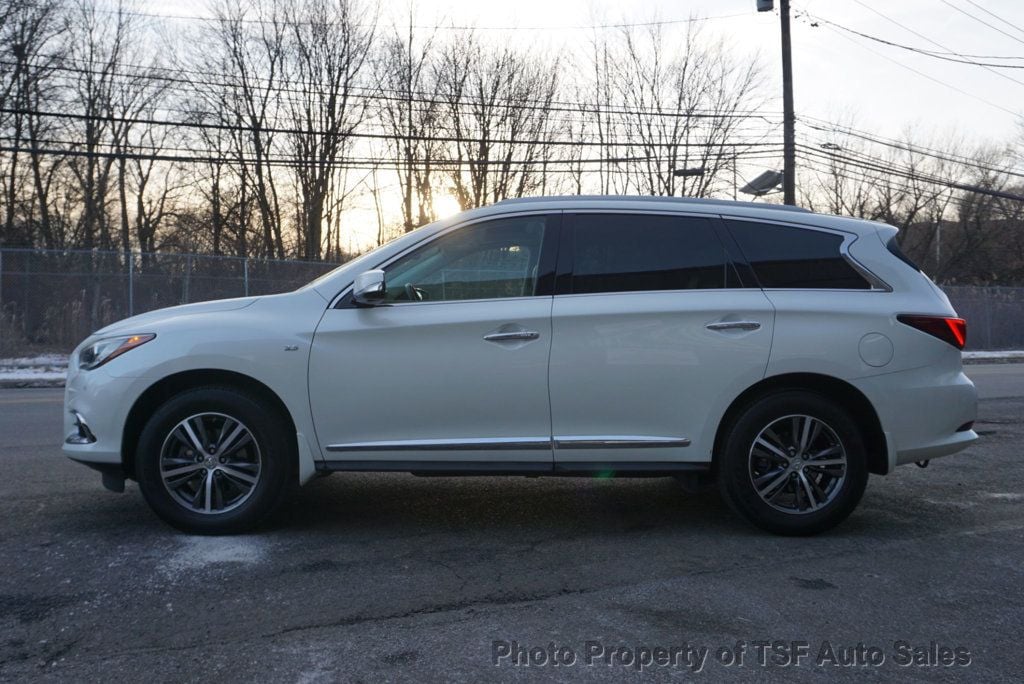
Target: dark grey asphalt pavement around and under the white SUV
pixel 375 578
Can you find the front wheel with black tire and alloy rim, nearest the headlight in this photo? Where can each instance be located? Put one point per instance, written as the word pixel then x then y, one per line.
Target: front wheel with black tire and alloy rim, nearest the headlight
pixel 241 478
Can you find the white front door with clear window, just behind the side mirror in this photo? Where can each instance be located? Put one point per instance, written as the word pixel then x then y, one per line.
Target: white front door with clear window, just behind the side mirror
pixel 453 366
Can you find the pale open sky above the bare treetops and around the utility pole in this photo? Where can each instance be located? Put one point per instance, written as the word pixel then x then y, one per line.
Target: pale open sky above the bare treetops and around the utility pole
pixel 838 76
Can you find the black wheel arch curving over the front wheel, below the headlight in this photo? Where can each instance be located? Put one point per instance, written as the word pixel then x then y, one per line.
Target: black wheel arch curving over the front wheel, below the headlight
pixel 166 388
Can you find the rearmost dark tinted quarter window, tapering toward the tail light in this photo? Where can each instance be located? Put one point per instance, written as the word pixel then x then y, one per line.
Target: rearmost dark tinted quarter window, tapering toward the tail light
pixel 785 258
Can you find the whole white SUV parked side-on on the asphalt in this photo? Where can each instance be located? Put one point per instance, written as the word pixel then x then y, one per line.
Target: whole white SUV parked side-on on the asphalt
pixel 785 354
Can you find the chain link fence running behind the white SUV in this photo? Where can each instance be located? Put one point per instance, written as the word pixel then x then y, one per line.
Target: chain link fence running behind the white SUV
pixel 51 301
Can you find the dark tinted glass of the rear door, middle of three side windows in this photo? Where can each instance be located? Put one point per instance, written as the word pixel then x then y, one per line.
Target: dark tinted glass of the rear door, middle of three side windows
pixel 633 252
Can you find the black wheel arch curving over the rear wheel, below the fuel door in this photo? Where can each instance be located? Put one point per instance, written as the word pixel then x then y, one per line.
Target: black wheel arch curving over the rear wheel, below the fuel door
pixel 839 391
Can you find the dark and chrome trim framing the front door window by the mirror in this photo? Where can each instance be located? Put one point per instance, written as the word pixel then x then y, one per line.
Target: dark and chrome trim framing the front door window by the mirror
pixel 545 275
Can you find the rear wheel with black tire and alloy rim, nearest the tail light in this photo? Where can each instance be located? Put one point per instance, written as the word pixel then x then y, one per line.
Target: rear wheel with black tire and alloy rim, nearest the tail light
pixel 763 451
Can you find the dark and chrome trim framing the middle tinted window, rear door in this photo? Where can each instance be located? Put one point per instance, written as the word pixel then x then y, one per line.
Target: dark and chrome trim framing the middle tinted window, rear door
pixel 567 250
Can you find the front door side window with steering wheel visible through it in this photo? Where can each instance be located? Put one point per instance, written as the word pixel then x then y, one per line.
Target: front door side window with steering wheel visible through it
pixel 484 262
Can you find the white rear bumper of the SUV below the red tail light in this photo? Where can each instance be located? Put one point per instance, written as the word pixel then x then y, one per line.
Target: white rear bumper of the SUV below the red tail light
pixel 922 412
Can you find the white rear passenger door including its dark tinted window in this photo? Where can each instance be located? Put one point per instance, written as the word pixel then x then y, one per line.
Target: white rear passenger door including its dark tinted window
pixel 655 333
